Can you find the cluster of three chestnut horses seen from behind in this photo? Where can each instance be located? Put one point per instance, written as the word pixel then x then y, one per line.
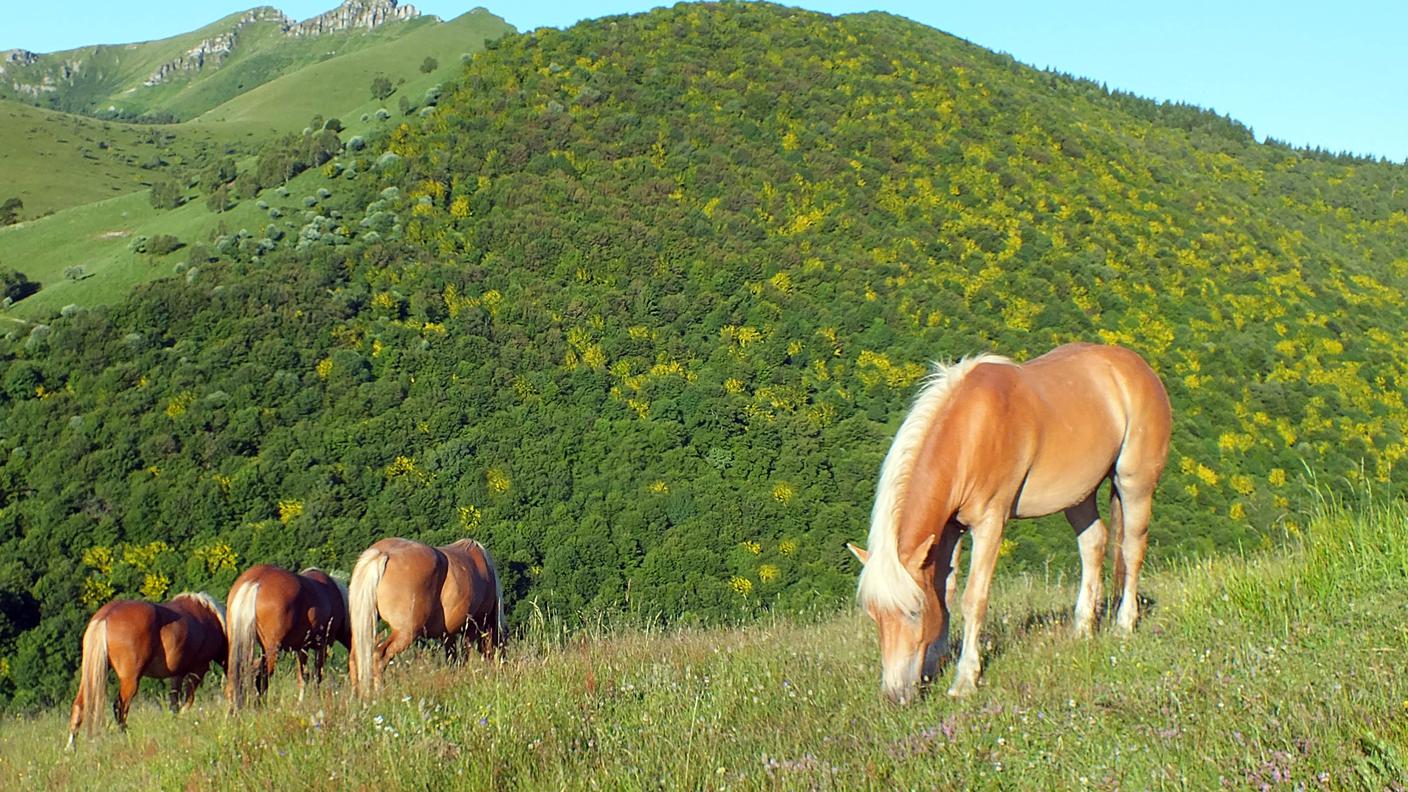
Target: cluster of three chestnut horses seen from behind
pixel 448 594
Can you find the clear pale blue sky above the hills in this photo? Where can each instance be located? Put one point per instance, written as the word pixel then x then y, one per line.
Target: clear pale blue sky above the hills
pixel 1334 75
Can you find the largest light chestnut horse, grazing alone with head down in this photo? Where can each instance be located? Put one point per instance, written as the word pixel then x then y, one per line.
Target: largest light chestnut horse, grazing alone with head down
pixel 989 440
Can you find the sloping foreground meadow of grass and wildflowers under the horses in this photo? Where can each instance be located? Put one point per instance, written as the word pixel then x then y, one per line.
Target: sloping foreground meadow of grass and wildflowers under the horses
pixel 1265 673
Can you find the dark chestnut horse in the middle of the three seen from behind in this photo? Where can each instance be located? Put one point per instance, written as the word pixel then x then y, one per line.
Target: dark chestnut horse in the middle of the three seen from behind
pixel 282 611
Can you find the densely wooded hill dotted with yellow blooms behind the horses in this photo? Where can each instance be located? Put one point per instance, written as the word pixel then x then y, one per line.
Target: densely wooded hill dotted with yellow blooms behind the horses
pixel 641 304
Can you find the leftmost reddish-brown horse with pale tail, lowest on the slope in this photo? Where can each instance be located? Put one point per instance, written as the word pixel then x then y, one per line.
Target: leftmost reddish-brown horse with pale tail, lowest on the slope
pixel 177 641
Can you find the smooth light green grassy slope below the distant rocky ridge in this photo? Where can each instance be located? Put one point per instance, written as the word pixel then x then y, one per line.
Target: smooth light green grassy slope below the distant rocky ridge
pixel 64 161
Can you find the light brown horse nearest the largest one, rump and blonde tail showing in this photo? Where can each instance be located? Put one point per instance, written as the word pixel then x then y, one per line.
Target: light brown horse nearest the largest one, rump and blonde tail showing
pixel 436 593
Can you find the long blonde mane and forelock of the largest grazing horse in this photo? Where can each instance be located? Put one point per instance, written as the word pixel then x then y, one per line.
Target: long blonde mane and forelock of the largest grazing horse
pixel 885 583
